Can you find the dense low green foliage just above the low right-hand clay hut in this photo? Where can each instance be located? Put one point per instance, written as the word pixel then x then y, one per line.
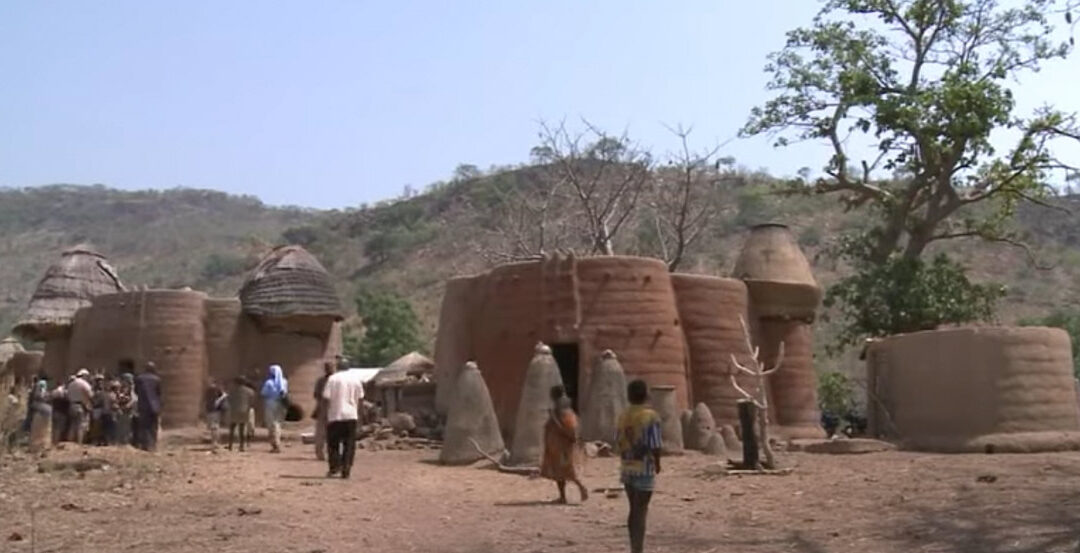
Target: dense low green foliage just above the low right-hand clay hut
pixel 904 295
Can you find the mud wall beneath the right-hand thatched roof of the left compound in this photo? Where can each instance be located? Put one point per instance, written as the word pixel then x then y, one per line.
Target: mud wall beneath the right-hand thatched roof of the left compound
pixel 301 356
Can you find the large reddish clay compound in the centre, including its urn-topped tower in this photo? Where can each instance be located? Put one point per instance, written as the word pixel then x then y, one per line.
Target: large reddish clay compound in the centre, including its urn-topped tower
pixel 676 331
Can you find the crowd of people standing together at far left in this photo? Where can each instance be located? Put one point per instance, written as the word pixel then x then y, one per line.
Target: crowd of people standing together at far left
pixel 97 410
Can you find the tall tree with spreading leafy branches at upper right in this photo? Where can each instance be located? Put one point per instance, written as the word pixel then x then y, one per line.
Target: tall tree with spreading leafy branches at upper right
pixel 927 84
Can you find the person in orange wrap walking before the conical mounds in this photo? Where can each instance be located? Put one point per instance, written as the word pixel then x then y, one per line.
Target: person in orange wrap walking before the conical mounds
pixel 562 449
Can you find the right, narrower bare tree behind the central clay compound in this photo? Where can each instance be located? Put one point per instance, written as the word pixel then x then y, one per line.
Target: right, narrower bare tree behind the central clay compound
pixel 683 203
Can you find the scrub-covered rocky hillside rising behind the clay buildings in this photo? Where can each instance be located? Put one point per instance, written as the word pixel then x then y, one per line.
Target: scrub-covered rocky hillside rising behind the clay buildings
pixel 209 240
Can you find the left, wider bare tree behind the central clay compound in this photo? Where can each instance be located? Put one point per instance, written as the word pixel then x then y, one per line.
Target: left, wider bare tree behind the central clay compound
pixel 607 176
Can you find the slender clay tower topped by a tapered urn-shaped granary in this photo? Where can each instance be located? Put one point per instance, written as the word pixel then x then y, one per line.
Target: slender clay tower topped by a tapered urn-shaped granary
pixel 785 298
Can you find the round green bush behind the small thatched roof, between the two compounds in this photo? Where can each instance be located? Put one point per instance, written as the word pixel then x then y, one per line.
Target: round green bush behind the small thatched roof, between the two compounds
pixel 391 329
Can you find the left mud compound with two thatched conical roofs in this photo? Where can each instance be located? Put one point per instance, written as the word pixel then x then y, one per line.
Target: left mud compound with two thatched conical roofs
pixel 288 313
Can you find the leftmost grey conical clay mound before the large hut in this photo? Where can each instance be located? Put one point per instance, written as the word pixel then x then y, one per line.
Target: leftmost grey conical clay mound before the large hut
pixel 471 422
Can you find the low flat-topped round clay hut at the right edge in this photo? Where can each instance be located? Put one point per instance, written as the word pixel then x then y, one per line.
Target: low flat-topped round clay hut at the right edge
pixel 988 389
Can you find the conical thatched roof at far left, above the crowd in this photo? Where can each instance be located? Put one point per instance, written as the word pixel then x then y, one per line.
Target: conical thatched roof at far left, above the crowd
pixel 67 286
